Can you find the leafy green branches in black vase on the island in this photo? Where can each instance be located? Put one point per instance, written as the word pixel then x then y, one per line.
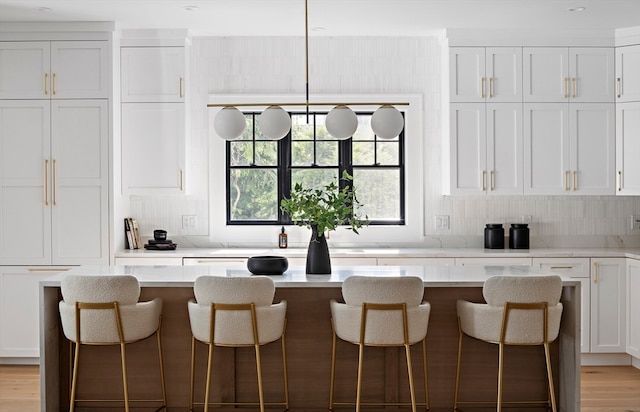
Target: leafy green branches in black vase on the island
pixel 322 210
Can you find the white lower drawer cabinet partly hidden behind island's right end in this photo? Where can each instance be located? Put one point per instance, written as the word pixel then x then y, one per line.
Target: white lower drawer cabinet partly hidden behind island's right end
pixel 577 268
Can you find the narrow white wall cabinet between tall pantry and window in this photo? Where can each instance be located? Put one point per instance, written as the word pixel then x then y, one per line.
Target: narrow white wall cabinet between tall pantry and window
pixel 153 124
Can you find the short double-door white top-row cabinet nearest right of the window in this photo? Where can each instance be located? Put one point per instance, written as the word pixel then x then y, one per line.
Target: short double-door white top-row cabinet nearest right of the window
pixel 491 74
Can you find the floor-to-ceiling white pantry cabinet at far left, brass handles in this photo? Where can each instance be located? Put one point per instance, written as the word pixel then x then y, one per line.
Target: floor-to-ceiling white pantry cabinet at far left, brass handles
pixel 54 170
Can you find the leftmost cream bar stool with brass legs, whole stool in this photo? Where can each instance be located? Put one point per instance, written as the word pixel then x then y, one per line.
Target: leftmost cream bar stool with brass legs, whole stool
pixel 104 310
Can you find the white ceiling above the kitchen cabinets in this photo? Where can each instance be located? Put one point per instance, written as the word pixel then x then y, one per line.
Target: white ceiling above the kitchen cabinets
pixel 331 17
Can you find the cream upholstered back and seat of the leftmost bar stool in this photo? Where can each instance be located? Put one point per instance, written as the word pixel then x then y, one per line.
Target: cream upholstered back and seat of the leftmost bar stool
pixel 139 319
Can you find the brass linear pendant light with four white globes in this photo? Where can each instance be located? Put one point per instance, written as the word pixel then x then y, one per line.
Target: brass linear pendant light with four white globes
pixel 341 122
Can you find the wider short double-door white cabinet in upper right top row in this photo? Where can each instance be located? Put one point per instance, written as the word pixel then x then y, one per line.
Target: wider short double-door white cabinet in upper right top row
pixel 560 74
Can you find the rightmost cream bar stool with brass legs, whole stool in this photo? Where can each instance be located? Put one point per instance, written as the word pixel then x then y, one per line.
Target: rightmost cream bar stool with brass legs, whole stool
pixel 520 310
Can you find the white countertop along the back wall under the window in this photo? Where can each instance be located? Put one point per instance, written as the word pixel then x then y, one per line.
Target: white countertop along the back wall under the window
pixel 633 253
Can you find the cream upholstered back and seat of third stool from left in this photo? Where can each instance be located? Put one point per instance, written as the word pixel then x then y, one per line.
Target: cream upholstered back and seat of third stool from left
pixel 384 327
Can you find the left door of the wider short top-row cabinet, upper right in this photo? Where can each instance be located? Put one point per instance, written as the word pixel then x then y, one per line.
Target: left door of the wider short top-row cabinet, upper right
pixel 545 74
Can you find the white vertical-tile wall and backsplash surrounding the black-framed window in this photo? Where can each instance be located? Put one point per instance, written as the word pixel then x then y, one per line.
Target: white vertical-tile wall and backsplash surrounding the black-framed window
pixel 368 65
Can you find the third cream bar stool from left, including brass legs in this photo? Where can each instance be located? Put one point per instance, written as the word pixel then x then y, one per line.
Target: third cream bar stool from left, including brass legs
pixel 384 312
